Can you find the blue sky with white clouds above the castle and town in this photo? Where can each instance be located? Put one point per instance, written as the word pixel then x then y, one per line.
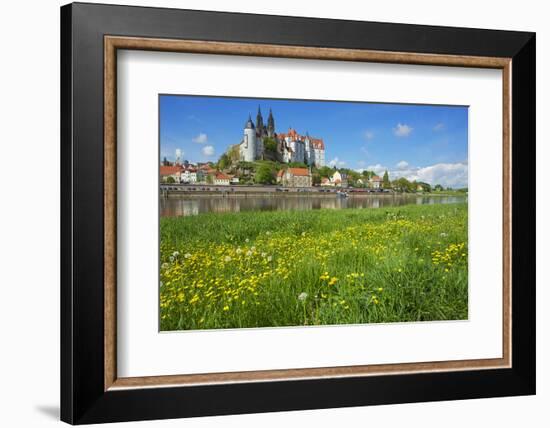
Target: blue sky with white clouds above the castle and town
pixel 422 142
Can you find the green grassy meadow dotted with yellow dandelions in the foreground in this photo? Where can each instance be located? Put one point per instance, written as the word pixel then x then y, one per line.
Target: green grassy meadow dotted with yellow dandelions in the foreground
pixel 317 267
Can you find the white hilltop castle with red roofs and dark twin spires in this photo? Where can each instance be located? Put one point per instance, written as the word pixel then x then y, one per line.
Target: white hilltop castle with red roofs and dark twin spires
pixel 291 146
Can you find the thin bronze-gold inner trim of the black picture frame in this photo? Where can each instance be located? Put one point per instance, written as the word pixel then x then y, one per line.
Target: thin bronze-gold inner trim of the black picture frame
pixel 114 43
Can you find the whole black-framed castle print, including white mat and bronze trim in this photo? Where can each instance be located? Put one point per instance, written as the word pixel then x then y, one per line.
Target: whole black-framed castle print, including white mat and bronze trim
pixel 321 214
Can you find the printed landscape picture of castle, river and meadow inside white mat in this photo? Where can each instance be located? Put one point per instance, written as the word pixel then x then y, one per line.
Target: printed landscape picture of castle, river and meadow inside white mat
pixel 287 212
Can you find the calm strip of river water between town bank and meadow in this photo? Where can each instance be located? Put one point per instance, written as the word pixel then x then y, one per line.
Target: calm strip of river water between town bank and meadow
pixel 194 205
